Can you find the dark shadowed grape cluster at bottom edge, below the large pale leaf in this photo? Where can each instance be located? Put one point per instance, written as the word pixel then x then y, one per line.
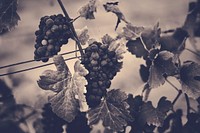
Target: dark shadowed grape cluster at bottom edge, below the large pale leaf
pixel 52 123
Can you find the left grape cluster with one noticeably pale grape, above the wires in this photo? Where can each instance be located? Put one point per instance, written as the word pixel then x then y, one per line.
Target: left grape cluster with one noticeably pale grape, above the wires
pixel 54 31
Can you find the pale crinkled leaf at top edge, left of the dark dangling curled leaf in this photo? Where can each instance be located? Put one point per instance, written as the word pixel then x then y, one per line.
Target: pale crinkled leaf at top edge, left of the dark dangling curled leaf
pixel 88 10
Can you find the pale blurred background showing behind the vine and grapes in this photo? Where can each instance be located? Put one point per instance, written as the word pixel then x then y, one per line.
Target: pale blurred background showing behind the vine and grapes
pixel 18 44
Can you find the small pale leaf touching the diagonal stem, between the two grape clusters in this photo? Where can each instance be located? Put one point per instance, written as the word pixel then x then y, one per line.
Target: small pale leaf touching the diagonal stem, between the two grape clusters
pixel 83 35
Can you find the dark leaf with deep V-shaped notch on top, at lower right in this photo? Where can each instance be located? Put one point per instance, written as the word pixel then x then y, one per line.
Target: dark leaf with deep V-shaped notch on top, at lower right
pixel 155 116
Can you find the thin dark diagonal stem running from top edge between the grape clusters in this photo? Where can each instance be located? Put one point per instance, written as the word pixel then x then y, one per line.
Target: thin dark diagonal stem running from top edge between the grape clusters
pixel 71 27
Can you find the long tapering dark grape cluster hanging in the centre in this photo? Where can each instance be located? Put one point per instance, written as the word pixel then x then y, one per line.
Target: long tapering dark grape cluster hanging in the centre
pixel 102 65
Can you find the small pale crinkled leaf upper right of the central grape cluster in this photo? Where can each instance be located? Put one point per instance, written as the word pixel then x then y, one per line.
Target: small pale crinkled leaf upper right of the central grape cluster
pixel 130 32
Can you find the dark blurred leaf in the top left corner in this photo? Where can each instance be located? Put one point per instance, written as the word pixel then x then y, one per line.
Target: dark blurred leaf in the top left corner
pixel 8 15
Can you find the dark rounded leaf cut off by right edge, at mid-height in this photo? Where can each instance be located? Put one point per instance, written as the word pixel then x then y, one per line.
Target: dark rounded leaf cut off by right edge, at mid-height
pixel 190 79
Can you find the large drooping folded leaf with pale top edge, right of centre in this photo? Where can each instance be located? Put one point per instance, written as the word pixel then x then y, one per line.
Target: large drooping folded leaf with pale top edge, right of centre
pixel 163 64
